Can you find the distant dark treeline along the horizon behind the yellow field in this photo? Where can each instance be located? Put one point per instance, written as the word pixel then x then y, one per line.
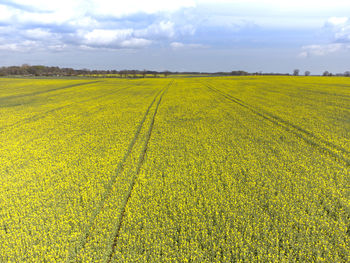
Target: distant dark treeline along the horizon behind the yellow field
pixel 39 70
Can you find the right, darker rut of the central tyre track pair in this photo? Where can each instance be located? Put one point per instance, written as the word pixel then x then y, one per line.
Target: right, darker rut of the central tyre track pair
pixel 116 230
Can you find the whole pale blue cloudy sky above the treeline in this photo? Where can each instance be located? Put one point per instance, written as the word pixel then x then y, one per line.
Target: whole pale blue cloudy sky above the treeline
pixel 182 35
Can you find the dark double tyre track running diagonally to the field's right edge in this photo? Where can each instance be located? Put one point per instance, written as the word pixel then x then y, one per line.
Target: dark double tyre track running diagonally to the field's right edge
pixel 310 138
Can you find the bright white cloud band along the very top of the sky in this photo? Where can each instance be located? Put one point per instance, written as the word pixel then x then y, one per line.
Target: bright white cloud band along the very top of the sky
pixel 122 8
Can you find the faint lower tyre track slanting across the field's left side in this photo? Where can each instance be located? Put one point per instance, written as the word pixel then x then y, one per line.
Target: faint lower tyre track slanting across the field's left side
pixel 43 115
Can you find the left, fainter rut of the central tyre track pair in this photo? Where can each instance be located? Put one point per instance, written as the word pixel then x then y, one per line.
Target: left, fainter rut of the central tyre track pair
pixel 74 251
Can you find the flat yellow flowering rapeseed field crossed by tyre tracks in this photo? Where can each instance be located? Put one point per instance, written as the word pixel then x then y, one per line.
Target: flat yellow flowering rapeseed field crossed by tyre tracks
pixel 197 169
